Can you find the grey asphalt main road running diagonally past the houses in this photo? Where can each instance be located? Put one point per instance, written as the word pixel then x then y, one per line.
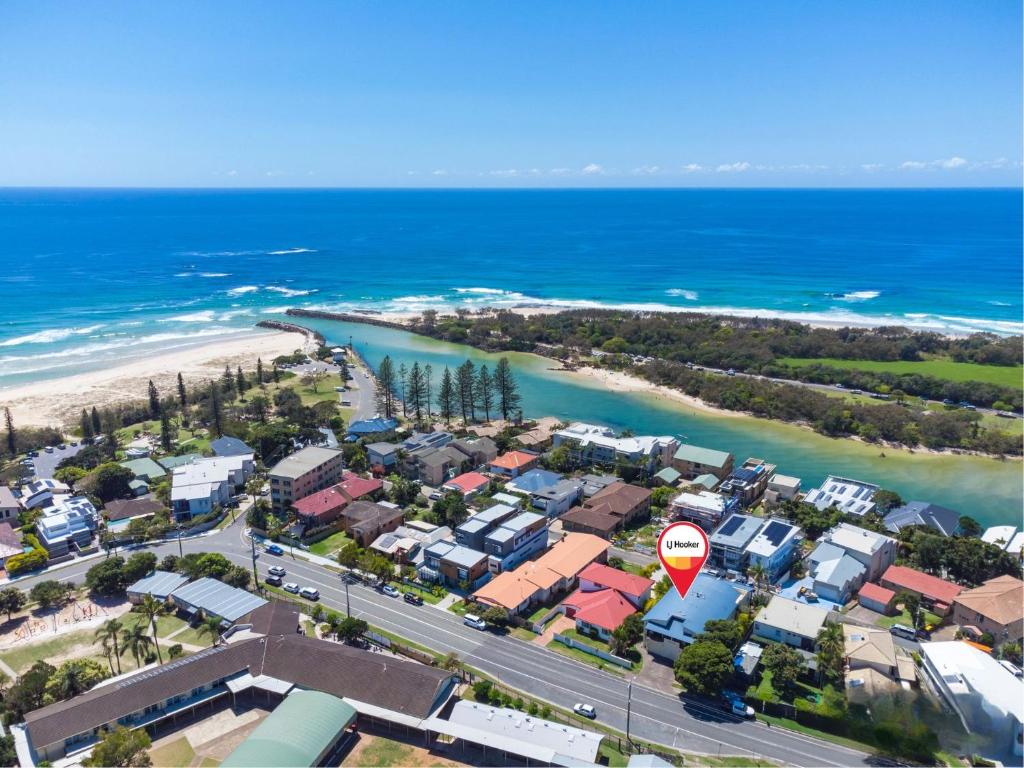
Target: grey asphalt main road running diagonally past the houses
pixel 655 716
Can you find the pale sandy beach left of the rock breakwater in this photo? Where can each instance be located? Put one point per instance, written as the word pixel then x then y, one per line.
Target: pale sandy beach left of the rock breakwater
pixel 60 402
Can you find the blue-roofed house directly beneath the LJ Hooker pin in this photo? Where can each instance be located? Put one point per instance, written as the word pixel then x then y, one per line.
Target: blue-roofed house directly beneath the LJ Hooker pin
pixel 676 622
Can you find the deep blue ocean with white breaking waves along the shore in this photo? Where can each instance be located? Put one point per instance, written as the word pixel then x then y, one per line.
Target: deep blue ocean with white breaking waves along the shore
pixel 91 278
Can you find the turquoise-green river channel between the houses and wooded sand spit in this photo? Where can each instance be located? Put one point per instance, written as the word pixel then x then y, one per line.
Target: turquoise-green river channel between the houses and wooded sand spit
pixel 991 491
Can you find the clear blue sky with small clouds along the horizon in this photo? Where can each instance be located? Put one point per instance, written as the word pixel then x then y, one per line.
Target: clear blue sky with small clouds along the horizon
pixel 510 95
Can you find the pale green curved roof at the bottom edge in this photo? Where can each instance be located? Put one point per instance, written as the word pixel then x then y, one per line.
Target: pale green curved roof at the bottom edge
pixel 305 727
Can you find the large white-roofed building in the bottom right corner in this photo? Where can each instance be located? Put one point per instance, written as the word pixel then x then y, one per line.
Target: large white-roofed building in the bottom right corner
pixel 984 694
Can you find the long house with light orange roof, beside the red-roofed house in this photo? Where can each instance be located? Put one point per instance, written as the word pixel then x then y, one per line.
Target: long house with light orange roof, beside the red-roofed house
pixel 536 581
